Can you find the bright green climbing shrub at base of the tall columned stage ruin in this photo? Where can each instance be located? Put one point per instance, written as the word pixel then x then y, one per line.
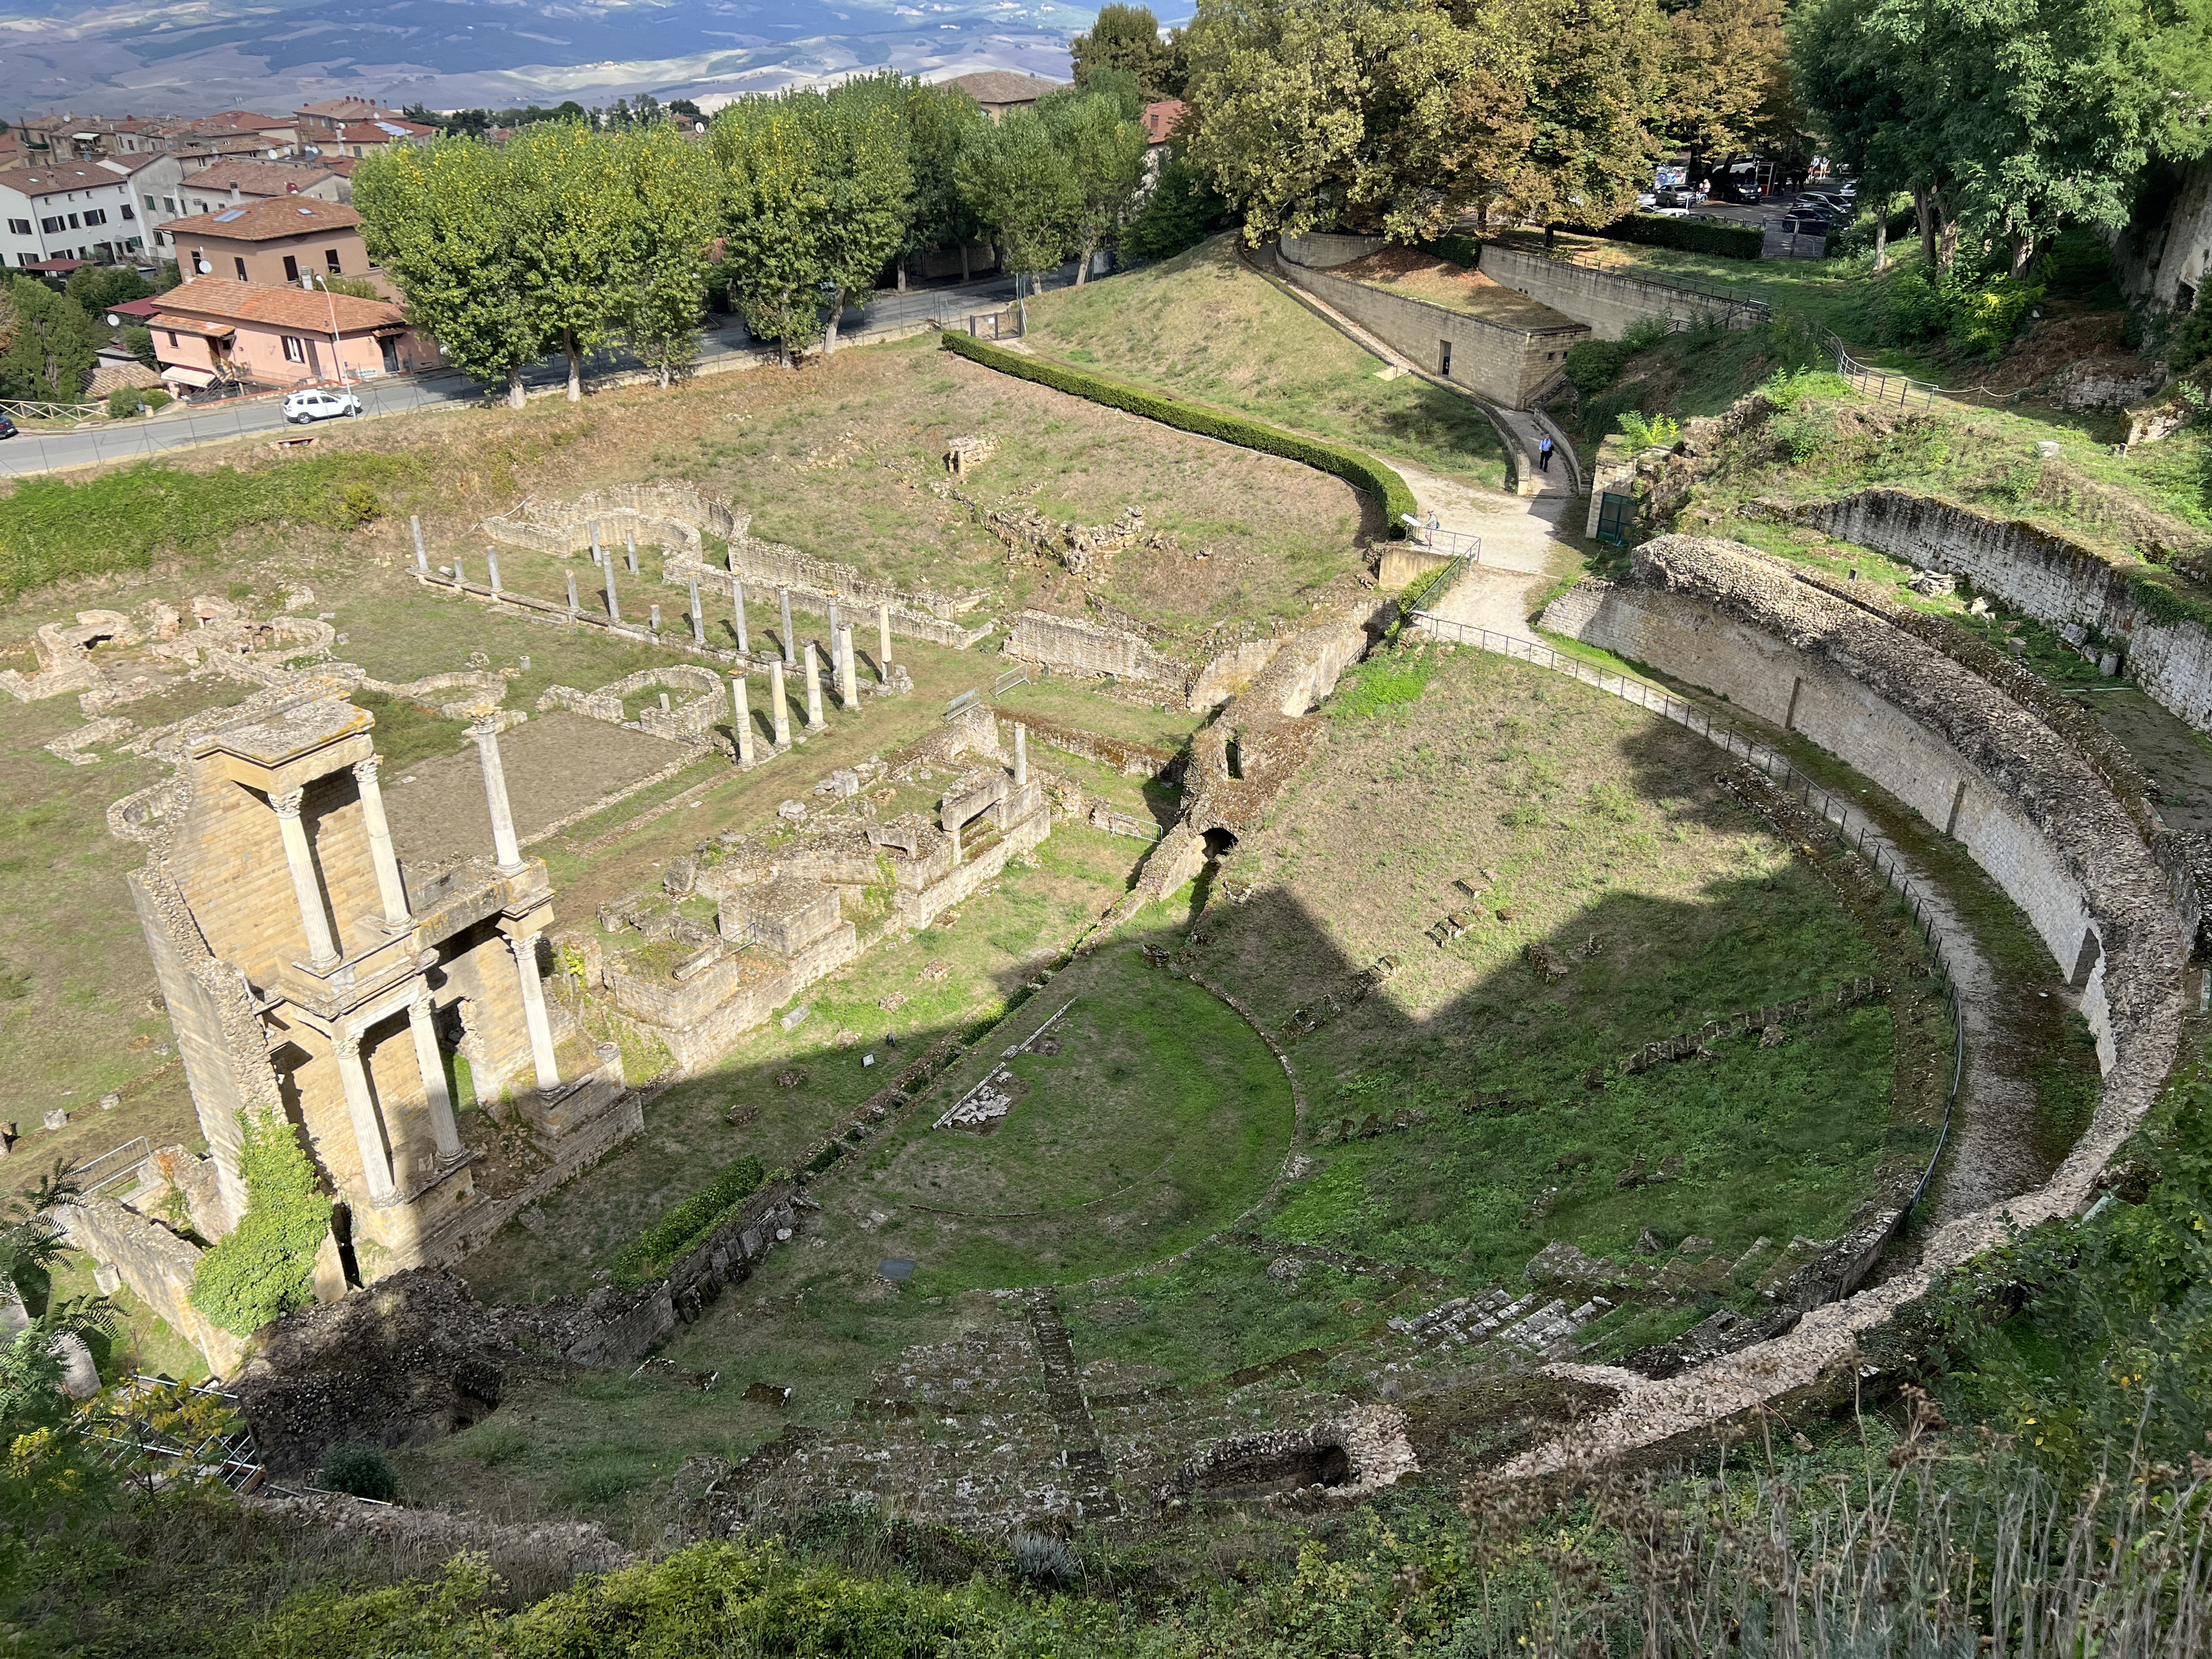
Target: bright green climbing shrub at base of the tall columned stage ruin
pixel 264 1266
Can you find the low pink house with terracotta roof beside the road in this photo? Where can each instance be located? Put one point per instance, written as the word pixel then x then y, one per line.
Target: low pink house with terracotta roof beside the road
pixel 218 331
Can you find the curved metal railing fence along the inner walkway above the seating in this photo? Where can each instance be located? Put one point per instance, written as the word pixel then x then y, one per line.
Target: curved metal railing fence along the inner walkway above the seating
pixel 1853 824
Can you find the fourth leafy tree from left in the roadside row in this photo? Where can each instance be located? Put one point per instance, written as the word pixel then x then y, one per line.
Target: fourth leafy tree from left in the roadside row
pixel 775 196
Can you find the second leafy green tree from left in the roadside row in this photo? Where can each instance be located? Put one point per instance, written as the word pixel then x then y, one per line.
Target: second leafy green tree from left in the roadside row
pixel 578 233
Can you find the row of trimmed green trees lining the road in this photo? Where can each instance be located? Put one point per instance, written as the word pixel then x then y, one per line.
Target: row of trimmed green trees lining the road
pixel 570 238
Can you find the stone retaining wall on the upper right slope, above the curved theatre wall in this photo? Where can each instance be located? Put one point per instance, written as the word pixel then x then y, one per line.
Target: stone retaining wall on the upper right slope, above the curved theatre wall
pixel 2038 572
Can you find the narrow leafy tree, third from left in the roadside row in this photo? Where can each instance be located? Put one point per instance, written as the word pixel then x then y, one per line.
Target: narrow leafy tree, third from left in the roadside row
pixel 678 198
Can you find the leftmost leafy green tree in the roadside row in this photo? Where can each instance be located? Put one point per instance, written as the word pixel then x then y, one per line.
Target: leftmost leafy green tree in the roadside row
pixel 439 218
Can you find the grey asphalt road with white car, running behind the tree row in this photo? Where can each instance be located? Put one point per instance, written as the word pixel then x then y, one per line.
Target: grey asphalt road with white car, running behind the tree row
pixel 727 348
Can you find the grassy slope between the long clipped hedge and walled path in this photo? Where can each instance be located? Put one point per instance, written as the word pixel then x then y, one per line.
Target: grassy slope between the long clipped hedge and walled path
pixel 1207 328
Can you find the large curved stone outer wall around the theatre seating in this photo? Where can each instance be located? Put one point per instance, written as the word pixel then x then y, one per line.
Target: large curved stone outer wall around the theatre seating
pixel 2034 815
